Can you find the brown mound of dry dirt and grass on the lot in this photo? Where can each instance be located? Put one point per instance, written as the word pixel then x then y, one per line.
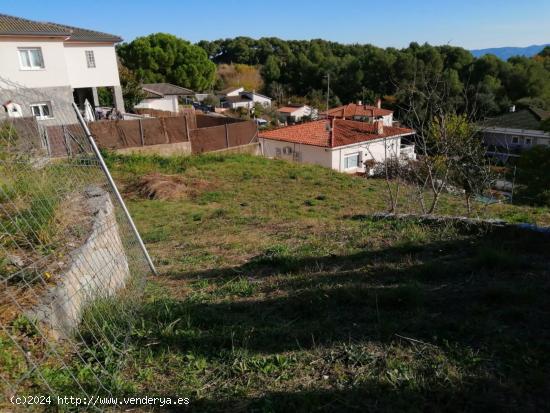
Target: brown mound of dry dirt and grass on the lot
pixel 165 187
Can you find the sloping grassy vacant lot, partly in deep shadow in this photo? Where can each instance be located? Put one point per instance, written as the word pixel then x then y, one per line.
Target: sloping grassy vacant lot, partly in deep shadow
pixel 276 294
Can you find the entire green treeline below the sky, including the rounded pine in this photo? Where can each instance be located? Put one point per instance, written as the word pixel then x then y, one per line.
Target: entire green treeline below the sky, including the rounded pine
pixel 297 70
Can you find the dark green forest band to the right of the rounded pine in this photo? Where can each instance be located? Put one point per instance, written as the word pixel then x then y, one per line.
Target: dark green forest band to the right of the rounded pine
pixel 362 72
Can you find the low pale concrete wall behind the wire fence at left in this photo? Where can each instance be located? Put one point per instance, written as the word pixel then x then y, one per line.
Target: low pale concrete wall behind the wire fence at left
pixel 98 269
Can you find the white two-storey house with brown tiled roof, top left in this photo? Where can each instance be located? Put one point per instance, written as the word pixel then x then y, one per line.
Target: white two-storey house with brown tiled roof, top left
pixel 56 64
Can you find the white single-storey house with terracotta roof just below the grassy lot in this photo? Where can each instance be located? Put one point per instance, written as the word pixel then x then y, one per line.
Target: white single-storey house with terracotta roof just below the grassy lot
pixel 343 145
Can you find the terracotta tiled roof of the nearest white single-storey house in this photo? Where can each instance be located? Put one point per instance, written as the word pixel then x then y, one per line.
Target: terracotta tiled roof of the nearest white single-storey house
pixel 344 132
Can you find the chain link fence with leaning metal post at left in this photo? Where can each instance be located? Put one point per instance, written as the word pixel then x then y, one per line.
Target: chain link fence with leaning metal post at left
pixel 72 265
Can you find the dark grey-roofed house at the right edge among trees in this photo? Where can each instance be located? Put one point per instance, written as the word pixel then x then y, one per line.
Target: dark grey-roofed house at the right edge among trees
pixel 508 135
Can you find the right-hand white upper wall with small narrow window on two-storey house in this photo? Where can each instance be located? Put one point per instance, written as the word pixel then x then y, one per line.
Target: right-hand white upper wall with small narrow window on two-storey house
pixel 105 72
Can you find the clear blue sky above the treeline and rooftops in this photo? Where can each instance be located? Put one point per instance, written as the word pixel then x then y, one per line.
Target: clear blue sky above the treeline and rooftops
pixel 467 23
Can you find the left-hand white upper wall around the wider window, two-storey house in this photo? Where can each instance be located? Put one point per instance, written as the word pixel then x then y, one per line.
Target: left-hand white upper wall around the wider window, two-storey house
pixel 54 72
